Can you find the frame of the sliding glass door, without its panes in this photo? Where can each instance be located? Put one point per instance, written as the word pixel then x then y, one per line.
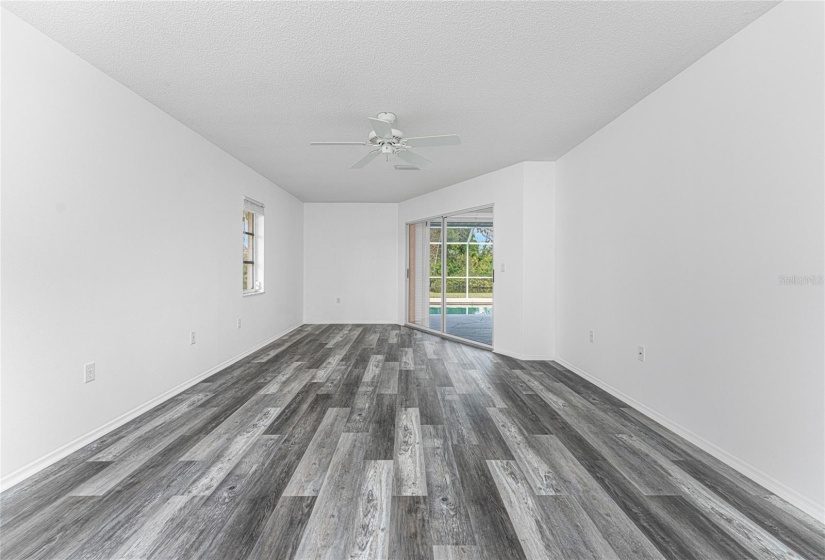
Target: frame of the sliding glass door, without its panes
pixel 409 287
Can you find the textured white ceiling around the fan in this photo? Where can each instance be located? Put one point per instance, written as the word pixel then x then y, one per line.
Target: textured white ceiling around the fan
pixel 517 81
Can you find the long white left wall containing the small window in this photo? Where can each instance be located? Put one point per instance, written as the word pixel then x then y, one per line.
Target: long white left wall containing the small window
pixel 120 234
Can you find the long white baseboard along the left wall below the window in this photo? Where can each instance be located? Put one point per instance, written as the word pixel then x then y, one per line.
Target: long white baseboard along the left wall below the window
pixel 49 459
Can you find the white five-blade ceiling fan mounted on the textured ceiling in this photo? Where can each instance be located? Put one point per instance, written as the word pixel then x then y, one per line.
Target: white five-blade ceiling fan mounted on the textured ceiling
pixel 388 141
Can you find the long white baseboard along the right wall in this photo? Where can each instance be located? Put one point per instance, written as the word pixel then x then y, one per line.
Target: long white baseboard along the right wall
pixel 780 489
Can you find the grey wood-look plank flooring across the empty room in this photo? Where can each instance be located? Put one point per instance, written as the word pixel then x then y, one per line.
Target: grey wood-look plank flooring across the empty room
pixel 377 441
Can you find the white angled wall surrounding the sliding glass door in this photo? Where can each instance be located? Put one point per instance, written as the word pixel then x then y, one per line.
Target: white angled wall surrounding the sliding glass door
pixel 518 194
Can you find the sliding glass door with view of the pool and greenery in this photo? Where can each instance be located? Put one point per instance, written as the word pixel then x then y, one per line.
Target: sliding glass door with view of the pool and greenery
pixel 450 273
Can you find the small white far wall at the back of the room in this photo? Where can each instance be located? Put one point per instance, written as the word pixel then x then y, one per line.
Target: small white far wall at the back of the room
pixel 351 253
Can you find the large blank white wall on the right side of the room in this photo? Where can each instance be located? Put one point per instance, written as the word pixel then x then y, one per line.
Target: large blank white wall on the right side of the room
pixel 675 223
